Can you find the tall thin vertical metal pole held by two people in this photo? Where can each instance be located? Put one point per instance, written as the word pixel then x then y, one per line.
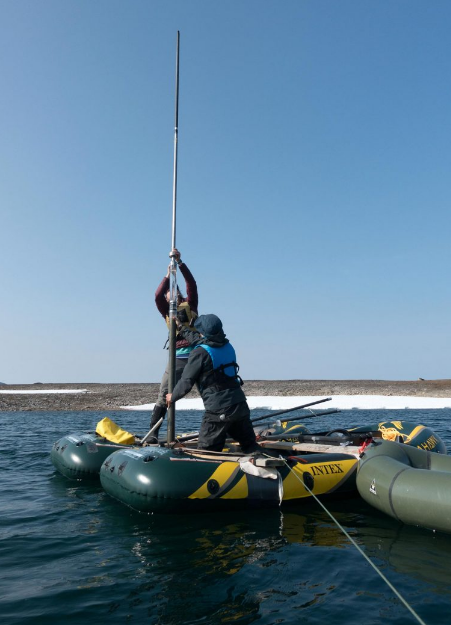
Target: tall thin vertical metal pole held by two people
pixel 173 268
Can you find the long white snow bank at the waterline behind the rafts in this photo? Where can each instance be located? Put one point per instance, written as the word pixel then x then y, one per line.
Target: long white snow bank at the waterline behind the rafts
pixel 341 402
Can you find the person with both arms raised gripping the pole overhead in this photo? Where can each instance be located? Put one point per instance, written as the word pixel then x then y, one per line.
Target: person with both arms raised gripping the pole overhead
pixel 186 313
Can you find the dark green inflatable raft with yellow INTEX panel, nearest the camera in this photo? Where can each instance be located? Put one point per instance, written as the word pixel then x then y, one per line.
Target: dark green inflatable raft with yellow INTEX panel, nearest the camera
pixel 157 479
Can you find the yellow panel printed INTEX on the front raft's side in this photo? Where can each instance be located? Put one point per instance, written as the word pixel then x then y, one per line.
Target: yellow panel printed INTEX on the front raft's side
pixel 326 477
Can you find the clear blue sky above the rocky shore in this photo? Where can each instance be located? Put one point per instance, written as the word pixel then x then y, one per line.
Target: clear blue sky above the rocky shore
pixel 313 190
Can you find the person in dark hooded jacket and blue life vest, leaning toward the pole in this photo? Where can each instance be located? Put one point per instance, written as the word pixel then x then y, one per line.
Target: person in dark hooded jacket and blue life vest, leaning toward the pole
pixel 212 366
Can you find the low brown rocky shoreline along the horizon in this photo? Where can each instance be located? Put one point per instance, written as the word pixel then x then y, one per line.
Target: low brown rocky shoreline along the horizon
pixel 114 396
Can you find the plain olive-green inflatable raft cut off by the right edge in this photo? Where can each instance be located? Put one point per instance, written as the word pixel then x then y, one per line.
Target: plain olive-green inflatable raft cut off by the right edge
pixel 409 484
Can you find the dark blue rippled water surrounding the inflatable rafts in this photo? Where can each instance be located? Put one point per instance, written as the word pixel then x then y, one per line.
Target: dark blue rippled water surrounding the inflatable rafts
pixel 70 554
